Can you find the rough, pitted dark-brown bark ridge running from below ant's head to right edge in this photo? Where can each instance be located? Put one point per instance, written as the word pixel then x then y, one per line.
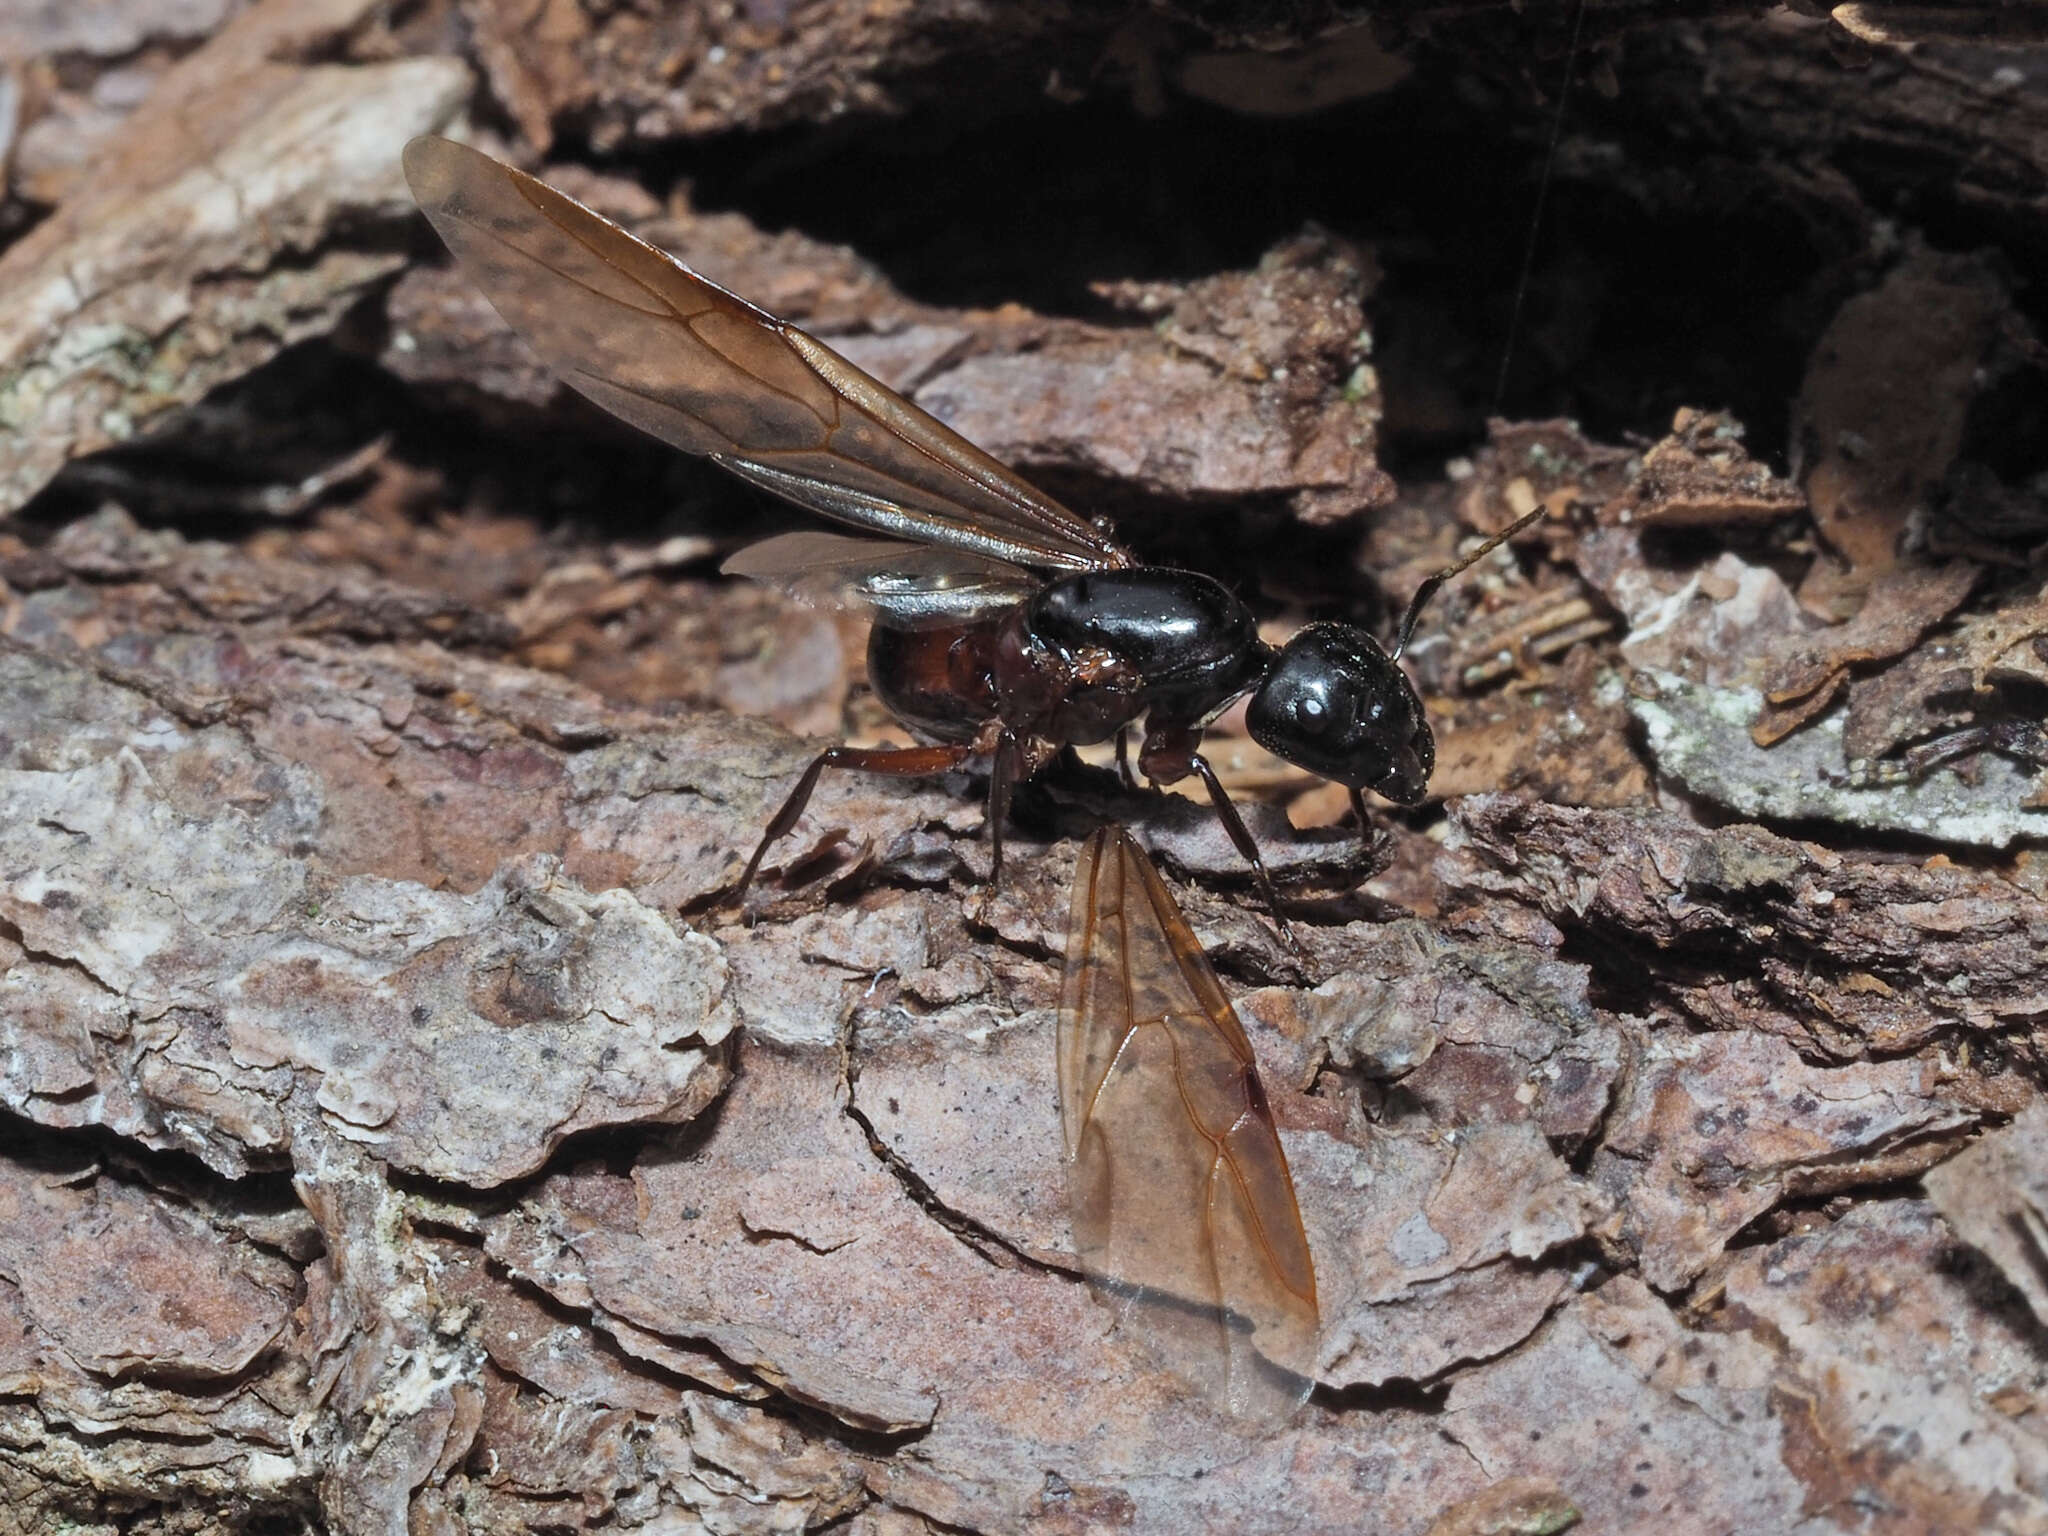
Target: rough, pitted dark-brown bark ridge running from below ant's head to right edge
pixel 1844 957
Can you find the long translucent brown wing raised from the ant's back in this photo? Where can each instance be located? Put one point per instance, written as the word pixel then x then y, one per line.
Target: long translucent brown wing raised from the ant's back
pixel 695 366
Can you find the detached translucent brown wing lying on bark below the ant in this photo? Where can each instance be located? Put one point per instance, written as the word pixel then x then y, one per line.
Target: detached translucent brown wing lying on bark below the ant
pixel 1183 1203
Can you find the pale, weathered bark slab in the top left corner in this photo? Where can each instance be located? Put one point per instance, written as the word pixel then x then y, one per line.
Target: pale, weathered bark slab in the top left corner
pixel 198 251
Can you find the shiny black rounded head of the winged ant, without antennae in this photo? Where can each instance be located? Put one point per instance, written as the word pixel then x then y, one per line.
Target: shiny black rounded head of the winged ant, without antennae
pixel 1338 706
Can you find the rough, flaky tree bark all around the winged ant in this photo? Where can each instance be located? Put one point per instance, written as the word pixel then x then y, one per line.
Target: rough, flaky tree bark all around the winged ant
pixel 400 1136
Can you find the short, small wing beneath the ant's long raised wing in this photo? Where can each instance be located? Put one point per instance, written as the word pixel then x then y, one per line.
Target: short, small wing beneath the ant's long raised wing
pixel 904 587
